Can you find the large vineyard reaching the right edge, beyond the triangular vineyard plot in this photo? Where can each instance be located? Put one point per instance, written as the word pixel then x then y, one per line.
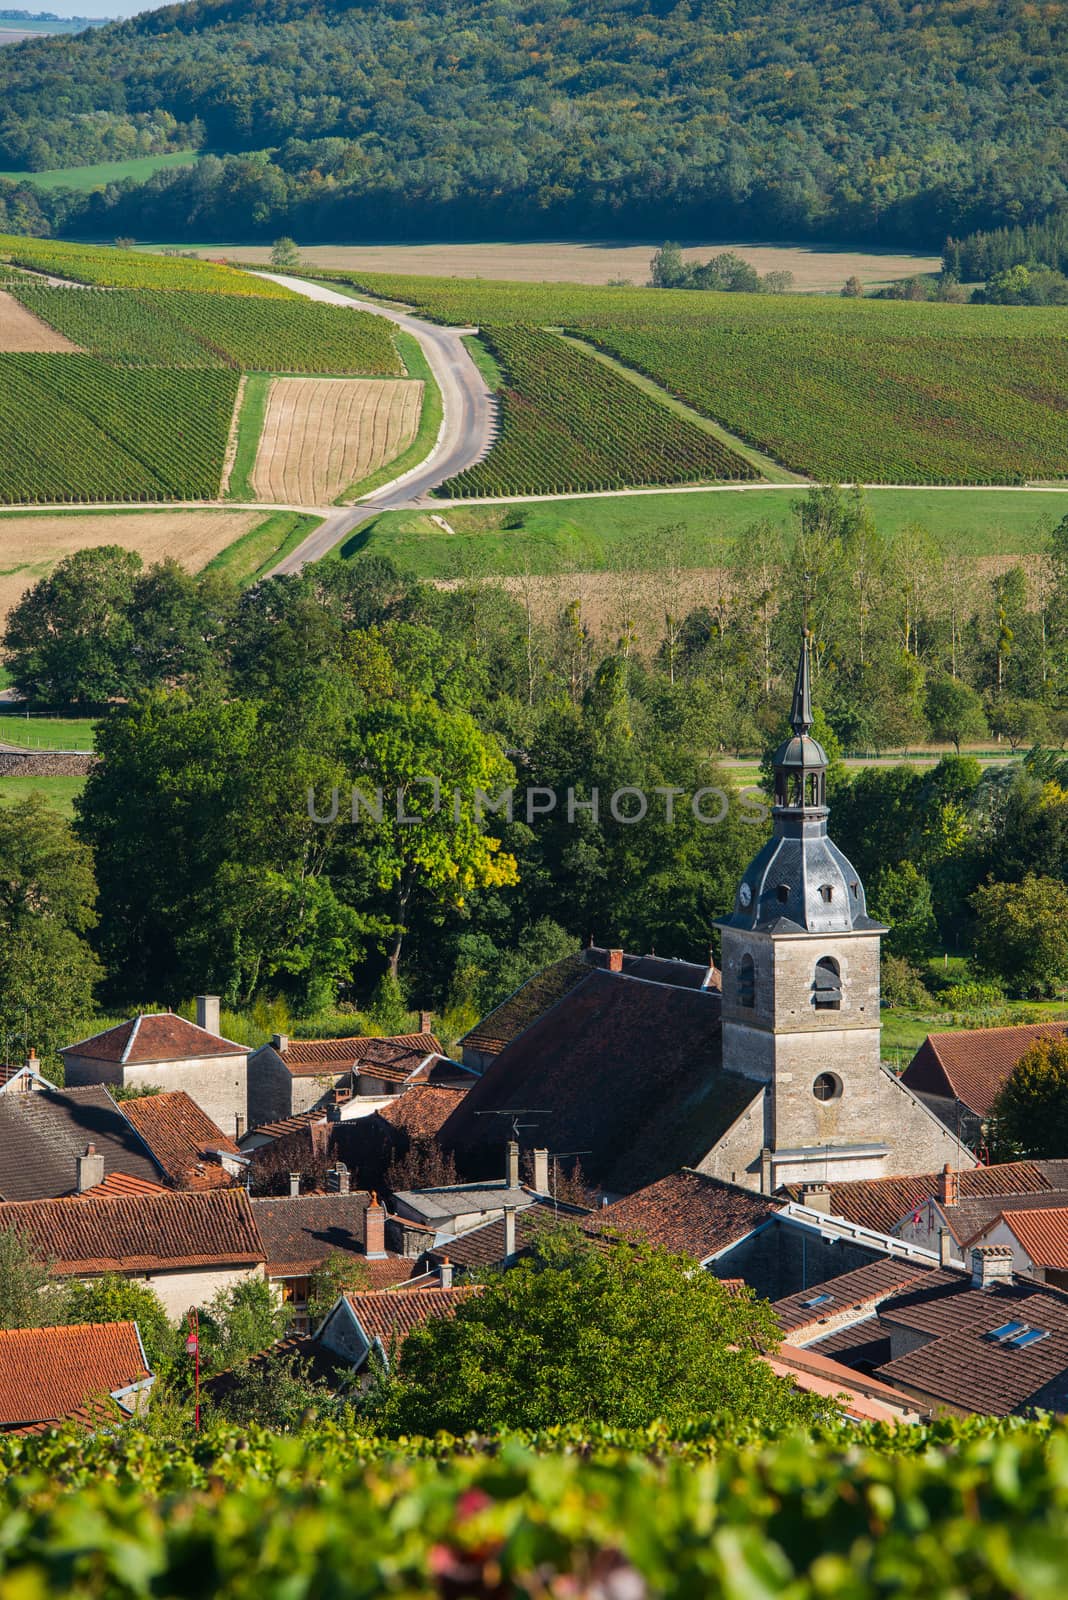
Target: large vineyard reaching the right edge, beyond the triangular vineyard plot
pixel 839 390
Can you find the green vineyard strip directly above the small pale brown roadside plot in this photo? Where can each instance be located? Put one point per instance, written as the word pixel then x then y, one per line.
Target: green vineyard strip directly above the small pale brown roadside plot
pixel 183 329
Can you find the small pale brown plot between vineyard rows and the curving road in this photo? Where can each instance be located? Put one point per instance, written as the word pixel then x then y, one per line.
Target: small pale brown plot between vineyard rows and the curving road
pixel 324 434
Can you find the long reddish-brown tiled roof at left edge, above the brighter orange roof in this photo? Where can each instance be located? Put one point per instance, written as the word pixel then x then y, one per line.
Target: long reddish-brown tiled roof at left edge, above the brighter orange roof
pixel 146 1234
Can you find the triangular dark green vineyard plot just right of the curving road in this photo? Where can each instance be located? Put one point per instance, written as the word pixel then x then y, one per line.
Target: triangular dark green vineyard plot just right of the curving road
pixel 570 423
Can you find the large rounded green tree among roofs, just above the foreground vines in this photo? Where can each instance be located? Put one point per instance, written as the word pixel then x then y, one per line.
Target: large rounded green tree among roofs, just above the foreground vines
pixel 620 1335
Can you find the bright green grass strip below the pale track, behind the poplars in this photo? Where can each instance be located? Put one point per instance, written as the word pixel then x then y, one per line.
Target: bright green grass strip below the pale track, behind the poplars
pixel 597 534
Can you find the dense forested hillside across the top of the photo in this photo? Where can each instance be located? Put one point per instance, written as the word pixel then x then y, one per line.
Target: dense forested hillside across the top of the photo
pixel 867 121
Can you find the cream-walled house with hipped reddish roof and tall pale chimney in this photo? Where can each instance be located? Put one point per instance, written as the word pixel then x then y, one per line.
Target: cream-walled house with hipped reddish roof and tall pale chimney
pixel 161 1050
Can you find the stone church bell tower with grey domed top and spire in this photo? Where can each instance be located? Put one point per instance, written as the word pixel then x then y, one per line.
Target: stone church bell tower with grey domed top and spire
pixel 802 982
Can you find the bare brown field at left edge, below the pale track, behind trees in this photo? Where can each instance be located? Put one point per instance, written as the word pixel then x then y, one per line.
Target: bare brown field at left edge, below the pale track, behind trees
pixel 33 545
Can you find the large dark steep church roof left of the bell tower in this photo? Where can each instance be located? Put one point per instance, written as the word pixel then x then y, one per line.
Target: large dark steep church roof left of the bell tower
pixel 624 1070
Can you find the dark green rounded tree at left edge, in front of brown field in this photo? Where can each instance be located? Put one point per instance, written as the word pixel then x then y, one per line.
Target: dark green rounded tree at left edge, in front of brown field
pixel 71 638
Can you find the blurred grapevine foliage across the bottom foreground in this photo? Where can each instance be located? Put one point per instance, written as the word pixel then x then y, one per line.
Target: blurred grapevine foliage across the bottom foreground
pixel 976 1510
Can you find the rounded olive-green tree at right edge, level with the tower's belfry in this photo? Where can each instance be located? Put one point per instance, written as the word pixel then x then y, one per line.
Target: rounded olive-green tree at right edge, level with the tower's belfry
pixel 1022 935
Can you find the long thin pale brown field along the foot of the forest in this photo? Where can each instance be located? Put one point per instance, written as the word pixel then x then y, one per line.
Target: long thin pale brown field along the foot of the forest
pixel 815 270
